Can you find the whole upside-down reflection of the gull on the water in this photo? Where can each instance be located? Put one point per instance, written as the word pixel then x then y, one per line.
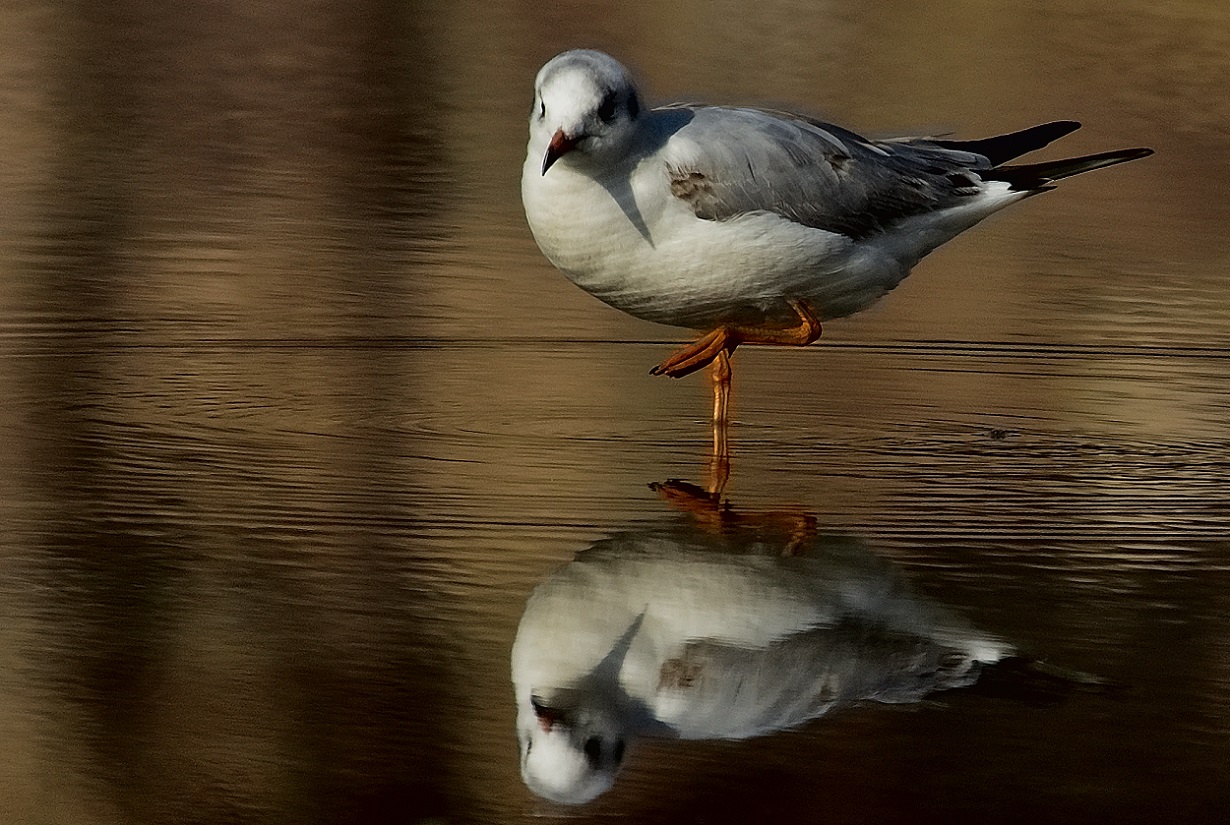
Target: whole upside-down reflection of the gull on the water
pixel 720 626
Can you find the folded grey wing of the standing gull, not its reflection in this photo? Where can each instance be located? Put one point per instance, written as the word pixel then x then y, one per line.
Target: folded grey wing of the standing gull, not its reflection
pixel 732 162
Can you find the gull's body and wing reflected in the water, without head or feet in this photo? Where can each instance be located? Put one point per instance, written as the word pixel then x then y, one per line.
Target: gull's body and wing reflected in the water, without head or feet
pixel 735 640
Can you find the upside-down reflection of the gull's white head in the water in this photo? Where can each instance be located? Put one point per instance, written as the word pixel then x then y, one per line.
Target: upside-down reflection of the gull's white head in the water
pixel 571 759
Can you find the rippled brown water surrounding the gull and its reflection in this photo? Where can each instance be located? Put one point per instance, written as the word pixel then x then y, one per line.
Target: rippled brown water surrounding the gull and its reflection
pixel 296 416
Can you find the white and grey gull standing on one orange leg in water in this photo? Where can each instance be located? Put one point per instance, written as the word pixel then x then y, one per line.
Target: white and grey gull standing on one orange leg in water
pixel 750 226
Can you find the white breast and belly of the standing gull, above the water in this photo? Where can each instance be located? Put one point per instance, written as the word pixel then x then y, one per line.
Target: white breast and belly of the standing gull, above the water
pixel 645 253
